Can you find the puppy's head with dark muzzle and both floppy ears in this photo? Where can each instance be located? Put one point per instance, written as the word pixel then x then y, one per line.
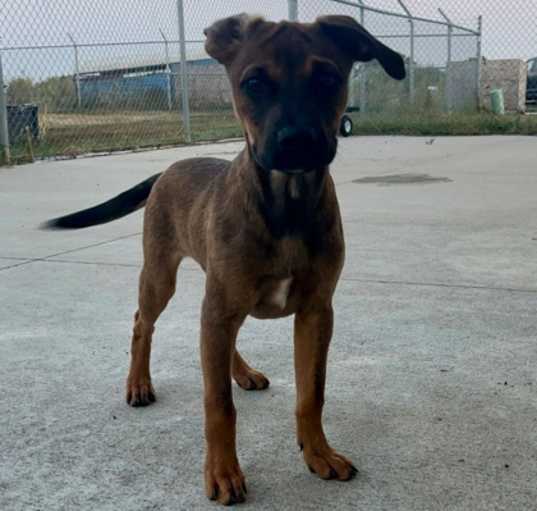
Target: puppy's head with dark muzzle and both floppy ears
pixel 290 83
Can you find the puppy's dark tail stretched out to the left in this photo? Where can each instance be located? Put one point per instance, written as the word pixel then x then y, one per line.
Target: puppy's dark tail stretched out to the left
pixel 121 205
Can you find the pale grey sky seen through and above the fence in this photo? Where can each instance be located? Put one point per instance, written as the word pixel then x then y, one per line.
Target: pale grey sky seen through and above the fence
pixel 509 28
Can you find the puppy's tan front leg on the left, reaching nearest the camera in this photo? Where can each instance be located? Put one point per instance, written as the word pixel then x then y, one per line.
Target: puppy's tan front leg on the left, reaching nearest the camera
pixel 219 327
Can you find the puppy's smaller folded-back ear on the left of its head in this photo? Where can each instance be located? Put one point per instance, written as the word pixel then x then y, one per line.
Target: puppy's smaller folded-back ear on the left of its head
pixel 225 36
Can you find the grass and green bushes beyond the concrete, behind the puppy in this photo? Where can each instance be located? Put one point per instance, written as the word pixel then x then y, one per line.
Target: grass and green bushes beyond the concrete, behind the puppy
pixel 66 131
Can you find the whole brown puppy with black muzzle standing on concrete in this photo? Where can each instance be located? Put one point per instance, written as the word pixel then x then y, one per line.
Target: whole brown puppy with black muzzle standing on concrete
pixel 265 227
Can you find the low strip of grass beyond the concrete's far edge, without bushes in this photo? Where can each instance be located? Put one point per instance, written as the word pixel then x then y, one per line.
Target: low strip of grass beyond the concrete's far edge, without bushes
pixel 70 135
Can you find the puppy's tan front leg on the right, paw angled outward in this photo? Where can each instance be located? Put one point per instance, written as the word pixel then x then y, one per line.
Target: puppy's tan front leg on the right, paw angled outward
pixel 313 330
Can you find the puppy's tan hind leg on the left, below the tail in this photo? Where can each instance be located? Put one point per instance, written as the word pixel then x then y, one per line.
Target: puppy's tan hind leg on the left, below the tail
pixel 157 286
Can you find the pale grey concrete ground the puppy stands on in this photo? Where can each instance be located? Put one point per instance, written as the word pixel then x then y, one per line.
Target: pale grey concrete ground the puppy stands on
pixel 432 387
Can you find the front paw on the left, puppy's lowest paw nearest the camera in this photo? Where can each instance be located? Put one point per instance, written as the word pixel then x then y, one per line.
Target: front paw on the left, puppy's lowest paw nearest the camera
pixel 225 484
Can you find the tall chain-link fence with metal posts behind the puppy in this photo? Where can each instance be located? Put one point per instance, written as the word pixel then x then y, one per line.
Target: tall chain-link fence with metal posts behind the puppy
pixel 82 77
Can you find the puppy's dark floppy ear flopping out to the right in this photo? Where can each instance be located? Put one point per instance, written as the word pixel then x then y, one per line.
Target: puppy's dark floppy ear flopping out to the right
pixel 360 45
